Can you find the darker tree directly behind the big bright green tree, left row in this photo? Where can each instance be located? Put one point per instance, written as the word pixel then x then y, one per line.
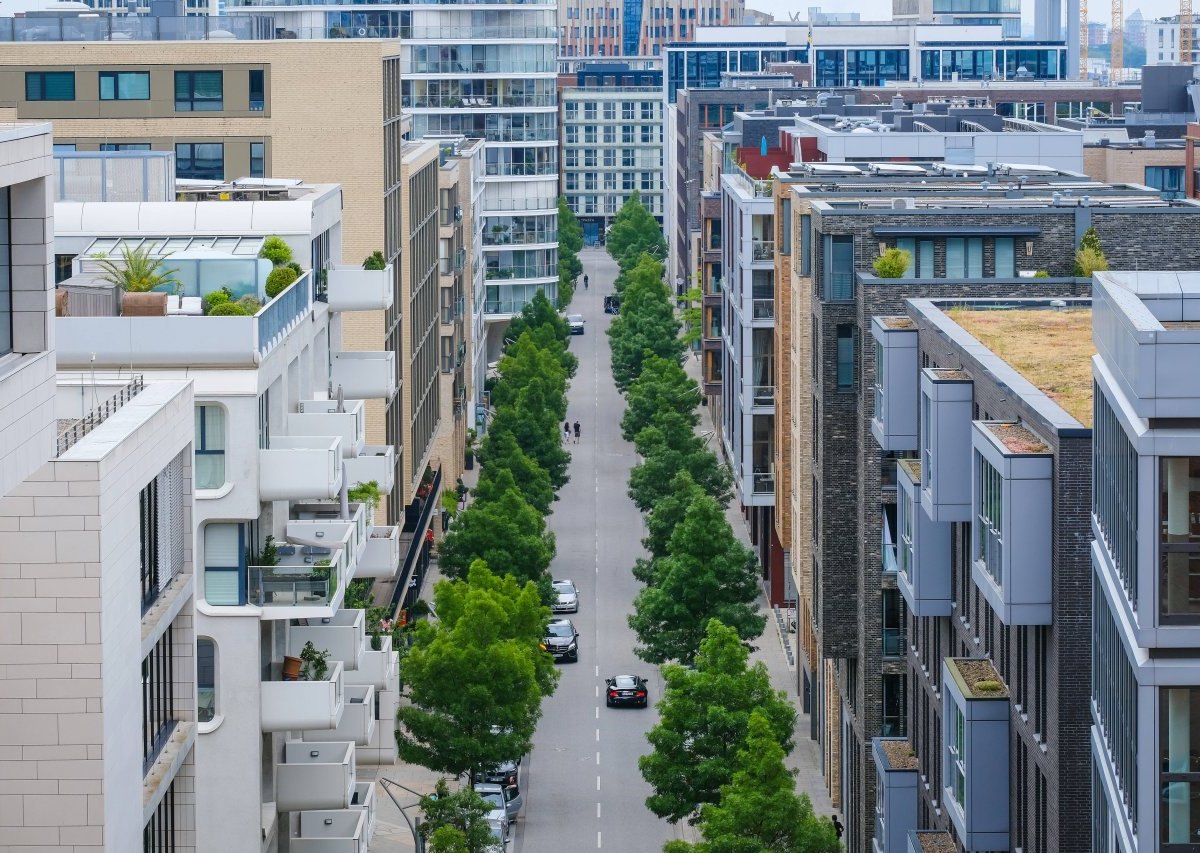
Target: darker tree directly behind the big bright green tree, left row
pixel 505 531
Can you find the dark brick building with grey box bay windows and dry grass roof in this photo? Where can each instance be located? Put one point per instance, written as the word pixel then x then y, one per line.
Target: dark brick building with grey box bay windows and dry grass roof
pixel 992 561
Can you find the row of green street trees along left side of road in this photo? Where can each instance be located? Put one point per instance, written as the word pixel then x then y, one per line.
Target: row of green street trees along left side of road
pixel 476 676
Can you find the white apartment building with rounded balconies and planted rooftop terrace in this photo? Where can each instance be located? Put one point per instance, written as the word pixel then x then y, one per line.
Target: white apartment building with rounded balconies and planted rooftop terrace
pixel 279 426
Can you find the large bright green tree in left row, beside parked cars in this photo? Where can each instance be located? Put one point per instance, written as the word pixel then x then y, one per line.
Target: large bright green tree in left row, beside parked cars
pixel 476 676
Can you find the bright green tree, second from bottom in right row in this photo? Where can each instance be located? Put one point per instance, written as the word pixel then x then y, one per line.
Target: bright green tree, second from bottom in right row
pixel 704 719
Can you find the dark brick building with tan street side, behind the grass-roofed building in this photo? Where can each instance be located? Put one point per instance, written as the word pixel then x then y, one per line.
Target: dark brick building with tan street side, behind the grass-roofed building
pixel 843 478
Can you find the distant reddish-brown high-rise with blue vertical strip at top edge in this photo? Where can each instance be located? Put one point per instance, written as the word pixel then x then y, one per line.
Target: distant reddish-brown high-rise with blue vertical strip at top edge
pixel 638 28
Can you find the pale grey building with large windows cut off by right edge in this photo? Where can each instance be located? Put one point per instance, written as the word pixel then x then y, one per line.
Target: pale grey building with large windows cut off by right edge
pixel 1147 522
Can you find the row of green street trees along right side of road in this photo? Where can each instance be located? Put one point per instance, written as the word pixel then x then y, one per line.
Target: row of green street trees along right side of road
pixel 723 734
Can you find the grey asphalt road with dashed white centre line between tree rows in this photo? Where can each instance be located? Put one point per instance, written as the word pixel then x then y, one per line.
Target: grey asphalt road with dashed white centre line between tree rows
pixel 581 785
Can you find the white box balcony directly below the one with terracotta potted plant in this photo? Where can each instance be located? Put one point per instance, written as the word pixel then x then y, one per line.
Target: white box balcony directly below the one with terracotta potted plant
pixel 315 776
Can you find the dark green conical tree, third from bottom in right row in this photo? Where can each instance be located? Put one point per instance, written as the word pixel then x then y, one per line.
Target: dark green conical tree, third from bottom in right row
pixel 709 575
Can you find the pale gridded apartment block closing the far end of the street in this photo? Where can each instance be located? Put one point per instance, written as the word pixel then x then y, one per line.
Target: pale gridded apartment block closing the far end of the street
pixel 613 145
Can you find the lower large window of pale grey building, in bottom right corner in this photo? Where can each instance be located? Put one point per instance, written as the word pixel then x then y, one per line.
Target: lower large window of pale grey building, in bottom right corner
pixel 1180 761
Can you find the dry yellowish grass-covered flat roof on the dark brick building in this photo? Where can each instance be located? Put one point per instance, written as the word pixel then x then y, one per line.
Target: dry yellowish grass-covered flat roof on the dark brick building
pixel 1052 349
